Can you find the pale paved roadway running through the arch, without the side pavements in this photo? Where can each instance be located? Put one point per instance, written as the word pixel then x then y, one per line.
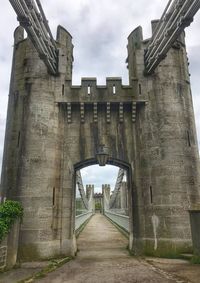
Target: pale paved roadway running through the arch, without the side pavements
pixel 103 257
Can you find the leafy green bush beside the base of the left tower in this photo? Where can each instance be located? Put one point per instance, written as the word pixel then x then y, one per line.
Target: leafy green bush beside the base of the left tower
pixel 9 211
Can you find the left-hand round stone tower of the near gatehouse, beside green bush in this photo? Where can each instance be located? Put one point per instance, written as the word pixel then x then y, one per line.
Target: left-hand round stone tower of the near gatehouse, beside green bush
pixel 33 151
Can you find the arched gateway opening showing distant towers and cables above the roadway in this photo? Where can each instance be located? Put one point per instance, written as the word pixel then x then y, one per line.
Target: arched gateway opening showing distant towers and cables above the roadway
pixel 106 191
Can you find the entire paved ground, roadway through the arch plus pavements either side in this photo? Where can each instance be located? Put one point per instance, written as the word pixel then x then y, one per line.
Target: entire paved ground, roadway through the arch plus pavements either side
pixel 103 258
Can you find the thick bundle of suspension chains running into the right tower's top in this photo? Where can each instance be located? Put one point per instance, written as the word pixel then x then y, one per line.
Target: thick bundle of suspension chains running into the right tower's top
pixel 177 15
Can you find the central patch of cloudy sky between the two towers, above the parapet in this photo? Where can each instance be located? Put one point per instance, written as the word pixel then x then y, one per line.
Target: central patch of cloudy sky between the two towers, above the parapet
pixel 100 30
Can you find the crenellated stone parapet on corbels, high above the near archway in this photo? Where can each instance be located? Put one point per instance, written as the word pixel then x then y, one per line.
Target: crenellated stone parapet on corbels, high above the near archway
pixel 114 97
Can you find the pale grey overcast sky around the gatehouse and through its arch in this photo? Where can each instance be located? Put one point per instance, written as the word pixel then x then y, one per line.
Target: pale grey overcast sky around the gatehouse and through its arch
pixel 100 30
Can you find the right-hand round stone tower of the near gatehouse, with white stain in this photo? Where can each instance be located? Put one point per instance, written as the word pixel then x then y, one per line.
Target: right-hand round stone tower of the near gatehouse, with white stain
pixel 167 162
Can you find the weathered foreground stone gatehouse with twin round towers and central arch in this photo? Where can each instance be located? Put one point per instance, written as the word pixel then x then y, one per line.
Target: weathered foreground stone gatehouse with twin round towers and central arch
pixel 54 129
